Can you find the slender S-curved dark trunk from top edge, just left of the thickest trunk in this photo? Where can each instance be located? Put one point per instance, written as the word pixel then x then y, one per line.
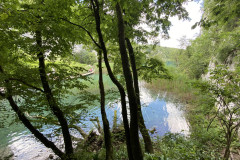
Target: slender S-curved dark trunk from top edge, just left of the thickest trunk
pixel 112 77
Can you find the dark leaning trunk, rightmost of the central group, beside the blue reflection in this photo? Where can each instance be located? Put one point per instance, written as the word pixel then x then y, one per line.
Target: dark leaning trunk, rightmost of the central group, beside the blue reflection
pixel 142 127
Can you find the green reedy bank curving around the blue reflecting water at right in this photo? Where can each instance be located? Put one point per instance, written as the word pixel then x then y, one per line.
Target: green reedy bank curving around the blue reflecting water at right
pixel 206 134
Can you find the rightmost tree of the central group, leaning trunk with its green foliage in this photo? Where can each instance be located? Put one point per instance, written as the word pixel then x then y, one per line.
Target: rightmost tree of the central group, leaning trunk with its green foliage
pixel 154 67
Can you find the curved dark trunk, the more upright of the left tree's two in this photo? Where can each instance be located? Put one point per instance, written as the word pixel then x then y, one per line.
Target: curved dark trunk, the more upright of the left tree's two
pixel 51 101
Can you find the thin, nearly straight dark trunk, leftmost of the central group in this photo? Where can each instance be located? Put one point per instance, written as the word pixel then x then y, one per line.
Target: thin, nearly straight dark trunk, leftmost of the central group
pixel 106 128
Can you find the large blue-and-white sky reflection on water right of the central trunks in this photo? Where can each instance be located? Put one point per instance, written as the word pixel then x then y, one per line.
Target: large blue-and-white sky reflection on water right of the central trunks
pixel 161 111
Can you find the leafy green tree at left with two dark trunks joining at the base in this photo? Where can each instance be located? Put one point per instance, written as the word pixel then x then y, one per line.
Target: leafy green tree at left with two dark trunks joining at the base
pixel 36 20
